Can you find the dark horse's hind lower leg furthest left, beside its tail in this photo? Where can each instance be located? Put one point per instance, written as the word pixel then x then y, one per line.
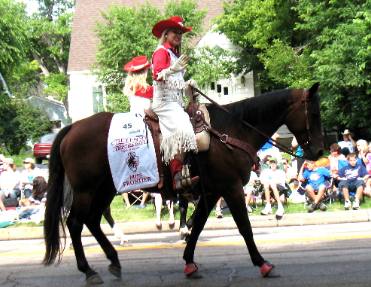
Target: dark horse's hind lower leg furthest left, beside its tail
pixel 75 227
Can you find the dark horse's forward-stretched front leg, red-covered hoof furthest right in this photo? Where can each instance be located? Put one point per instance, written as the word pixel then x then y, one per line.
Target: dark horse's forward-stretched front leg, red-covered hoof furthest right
pixel 235 200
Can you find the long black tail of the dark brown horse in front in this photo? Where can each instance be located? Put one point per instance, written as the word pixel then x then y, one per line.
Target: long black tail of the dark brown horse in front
pixel 54 212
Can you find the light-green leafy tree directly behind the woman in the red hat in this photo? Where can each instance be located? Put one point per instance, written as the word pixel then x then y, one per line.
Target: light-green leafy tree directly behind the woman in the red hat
pixel 126 32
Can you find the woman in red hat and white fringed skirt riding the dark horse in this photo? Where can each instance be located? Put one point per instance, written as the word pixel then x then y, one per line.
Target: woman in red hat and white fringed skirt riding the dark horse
pixel 168 68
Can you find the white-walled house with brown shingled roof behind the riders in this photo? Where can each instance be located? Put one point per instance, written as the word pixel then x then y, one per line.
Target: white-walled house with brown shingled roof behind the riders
pixel 87 95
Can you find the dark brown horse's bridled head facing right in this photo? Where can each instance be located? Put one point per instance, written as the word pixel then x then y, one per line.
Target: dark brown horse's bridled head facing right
pixel 304 121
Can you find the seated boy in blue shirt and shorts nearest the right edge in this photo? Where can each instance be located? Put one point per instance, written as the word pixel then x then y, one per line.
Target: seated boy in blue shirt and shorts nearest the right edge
pixel 352 178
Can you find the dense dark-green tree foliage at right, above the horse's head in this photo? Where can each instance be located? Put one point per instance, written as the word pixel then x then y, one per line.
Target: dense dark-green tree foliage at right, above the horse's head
pixel 294 43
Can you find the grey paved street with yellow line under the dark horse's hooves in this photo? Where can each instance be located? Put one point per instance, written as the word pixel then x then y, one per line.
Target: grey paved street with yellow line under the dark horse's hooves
pixel 326 255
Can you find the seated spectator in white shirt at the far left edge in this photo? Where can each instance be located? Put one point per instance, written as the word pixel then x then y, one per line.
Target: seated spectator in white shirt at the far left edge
pixel 9 185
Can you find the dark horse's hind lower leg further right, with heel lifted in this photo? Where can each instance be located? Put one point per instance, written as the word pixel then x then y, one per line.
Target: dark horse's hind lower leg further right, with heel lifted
pixel 109 250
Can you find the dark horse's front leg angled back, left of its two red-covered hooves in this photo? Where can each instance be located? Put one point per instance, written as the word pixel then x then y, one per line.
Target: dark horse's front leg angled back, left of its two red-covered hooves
pixel 203 209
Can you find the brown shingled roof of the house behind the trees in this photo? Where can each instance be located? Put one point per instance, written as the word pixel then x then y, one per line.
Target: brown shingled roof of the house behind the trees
pixel 84 40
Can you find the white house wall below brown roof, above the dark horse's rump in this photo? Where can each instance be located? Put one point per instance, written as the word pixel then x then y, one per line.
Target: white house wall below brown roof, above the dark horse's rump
pixel 82 95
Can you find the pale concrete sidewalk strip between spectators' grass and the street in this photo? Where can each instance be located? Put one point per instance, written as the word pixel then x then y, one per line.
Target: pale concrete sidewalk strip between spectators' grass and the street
pixel 293 219
